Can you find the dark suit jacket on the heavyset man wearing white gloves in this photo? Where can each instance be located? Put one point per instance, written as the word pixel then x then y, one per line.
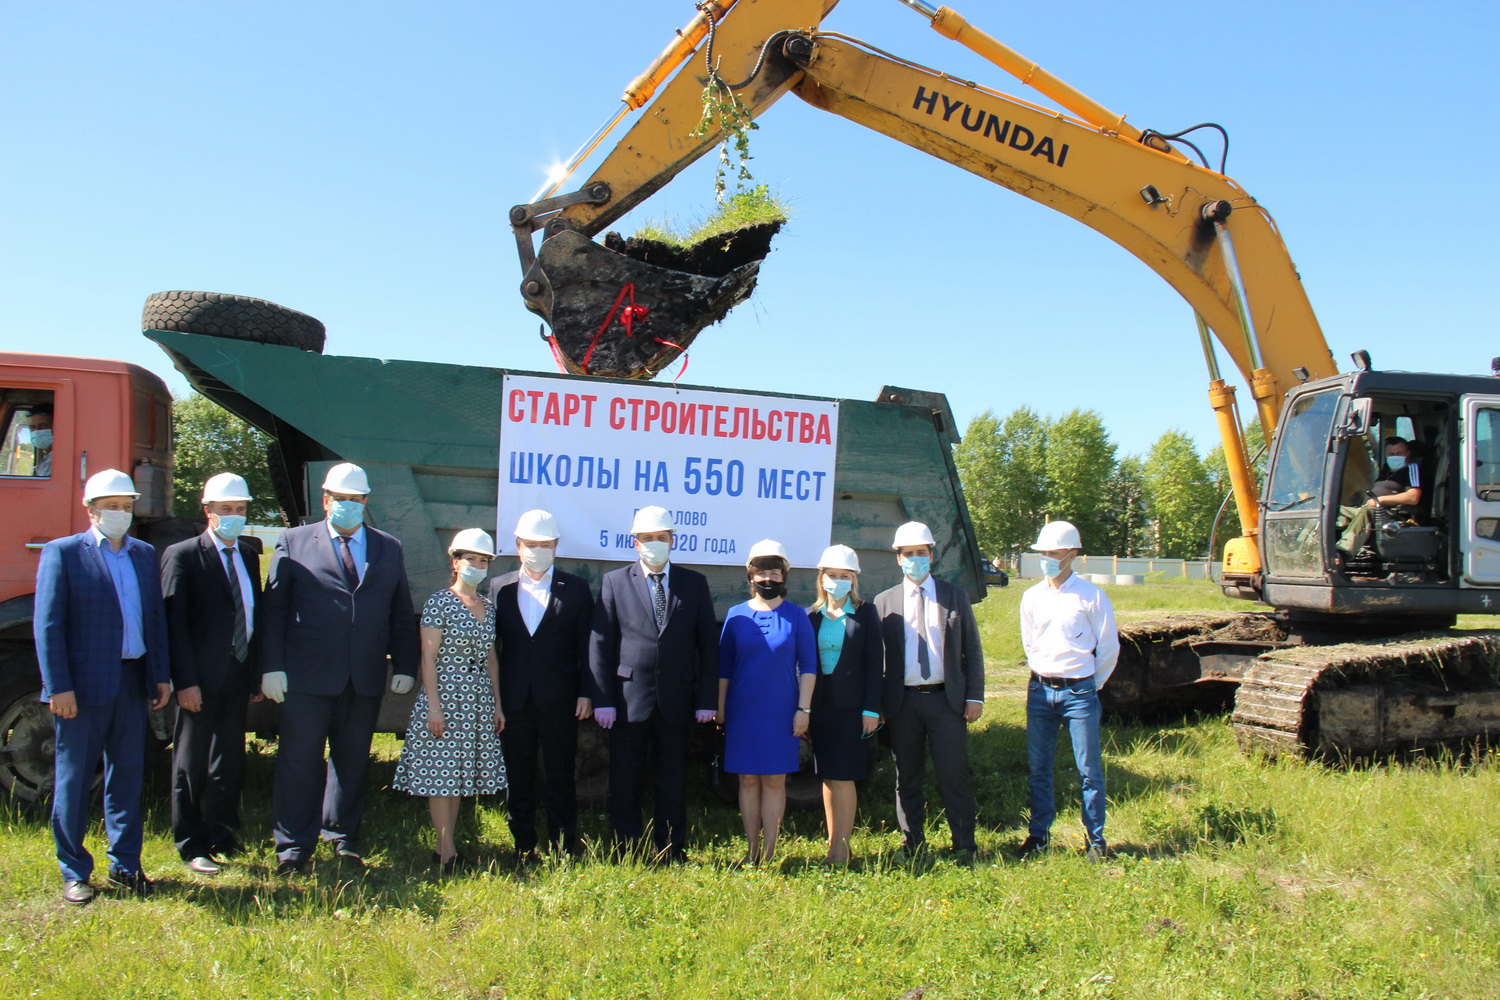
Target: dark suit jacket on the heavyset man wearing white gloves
pixel 323 635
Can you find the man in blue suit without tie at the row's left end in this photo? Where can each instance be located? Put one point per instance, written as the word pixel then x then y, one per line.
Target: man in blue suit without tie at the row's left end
pixel 101 639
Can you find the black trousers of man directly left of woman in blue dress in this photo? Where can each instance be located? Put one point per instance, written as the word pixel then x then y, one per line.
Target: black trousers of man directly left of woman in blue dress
pixel 656 747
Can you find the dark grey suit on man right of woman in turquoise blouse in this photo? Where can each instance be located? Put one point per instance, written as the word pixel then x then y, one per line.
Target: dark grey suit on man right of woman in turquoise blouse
pixel 934 717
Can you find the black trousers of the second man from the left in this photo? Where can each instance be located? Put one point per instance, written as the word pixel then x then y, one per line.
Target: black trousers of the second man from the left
pixel 209 774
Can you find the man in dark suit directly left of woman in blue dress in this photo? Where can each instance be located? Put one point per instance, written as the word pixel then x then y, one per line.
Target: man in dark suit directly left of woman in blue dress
pixel 655 657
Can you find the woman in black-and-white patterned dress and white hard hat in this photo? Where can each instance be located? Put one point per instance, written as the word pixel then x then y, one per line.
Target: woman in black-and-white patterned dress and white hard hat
pixel 454 737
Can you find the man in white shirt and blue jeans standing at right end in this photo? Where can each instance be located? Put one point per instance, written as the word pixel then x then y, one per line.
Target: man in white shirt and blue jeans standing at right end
pixel 1072 647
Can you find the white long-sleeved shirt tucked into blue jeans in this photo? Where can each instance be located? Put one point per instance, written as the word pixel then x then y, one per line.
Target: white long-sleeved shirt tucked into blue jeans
pixel 1069 630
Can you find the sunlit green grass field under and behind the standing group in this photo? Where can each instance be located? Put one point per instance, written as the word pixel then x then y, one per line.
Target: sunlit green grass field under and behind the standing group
pixel 1235 878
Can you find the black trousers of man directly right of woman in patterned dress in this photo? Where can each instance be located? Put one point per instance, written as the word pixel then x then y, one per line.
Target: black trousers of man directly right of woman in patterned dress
pixel 553 734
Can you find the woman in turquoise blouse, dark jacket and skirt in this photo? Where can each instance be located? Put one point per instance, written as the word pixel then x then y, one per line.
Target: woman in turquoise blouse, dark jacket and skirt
pixel 847 698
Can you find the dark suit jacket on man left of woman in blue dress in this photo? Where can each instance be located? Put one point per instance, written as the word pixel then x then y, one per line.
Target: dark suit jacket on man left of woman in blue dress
pixel 635 668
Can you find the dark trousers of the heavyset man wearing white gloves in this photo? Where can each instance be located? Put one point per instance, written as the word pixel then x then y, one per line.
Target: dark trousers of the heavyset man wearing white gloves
pixel 311 797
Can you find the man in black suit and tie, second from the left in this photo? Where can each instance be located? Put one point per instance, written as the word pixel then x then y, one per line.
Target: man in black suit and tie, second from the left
pixel 211 585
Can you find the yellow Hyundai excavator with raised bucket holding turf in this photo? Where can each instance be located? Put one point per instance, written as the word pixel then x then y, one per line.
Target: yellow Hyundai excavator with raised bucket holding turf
pixel 1310 678
